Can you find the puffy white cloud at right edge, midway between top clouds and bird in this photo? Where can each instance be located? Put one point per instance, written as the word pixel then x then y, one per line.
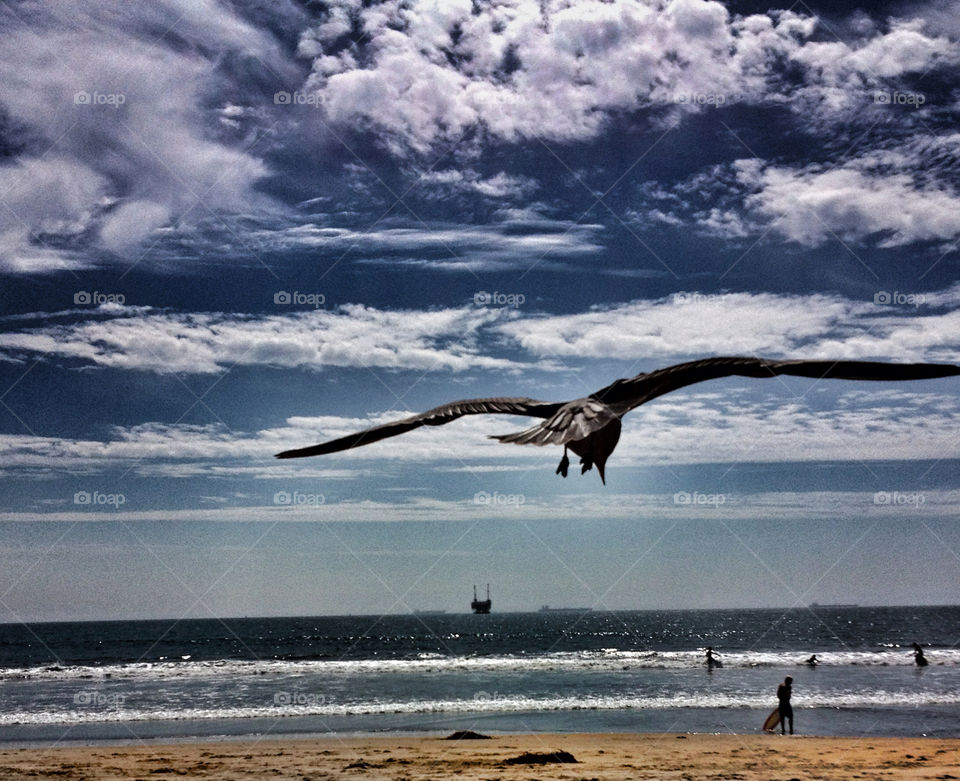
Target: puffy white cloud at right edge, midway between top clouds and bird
pixel 888 197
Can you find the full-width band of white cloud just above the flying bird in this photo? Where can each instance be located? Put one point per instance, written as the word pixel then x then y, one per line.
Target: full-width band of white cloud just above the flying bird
pixel 894 325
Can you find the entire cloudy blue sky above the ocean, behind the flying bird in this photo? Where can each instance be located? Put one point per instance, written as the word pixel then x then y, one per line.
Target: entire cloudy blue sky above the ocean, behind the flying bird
pixel 233 228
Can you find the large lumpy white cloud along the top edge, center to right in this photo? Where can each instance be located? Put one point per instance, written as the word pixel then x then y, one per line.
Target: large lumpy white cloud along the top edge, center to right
pixel 559 70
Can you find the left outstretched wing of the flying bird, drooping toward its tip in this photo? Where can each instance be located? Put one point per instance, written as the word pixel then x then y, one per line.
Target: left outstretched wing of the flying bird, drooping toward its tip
pixel 434 417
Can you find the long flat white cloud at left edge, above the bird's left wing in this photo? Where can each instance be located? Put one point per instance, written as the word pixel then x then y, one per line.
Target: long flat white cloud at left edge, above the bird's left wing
pixel 354 335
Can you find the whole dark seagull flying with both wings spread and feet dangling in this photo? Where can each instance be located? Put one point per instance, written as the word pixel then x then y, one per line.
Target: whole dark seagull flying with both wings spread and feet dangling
pixel 590 426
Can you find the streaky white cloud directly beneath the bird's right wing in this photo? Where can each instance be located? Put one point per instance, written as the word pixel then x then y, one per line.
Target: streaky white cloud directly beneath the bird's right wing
pixel 706 427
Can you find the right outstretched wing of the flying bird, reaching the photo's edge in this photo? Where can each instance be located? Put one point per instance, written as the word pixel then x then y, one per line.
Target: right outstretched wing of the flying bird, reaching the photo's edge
pixel 627 394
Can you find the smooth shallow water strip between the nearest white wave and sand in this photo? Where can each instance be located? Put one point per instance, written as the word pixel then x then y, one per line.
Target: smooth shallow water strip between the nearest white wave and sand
pixel 904 721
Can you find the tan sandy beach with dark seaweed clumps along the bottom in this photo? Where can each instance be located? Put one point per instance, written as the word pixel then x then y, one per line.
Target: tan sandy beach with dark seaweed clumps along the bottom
pixel 598 756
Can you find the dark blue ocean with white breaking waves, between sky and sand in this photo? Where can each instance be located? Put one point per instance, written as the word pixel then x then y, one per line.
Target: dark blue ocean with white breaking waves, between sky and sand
pixel 512 672
